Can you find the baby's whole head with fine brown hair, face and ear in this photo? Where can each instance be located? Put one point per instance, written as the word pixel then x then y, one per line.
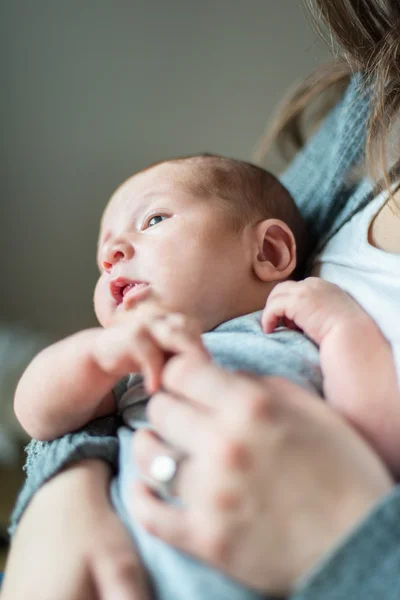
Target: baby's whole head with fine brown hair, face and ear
pixel 208 236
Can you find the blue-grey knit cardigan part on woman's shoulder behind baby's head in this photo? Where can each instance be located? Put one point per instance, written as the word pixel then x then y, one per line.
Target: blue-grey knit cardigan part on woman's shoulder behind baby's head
pixel 318 177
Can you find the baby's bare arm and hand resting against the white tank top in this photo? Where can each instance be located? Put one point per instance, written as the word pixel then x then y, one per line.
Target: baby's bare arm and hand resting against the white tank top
pixel 356 359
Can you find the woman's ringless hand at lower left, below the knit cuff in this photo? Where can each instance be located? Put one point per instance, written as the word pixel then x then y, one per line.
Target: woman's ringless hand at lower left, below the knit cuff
pixel 70 545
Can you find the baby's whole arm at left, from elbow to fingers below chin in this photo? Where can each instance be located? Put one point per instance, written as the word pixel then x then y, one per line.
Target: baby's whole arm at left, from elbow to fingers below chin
pixel 69 383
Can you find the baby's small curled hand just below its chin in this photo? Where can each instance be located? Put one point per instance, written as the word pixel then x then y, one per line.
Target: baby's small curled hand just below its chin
pixel 142 341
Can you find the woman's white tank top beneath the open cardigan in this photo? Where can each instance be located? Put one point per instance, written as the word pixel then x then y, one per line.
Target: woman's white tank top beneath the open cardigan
pixel 369 274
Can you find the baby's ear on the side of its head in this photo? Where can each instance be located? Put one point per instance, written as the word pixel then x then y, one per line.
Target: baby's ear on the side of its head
pixel 274 254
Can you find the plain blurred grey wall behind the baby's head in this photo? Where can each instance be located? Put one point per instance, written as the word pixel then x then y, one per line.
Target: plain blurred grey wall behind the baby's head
pixel 94 90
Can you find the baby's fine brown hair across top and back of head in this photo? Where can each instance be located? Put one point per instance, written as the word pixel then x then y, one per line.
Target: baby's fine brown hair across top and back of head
pixel 249 192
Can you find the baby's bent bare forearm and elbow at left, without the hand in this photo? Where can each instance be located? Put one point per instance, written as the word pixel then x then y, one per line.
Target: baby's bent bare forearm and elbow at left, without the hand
pixel 64 387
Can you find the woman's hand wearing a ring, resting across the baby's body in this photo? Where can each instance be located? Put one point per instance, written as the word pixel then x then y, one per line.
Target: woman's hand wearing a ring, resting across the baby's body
pixel 273 479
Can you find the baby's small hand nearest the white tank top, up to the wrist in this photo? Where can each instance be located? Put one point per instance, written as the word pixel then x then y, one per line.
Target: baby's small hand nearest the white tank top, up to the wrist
pixel 314 306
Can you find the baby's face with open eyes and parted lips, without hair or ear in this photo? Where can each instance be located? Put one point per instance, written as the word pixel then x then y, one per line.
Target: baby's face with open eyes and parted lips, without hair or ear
pixel 157 240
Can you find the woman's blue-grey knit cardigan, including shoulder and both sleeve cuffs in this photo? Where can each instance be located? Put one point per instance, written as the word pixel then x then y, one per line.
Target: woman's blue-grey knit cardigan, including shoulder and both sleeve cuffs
pixel 366 566
